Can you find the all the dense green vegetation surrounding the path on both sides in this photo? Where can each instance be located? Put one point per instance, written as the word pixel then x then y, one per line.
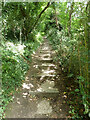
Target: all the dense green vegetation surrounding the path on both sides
pixel 66 26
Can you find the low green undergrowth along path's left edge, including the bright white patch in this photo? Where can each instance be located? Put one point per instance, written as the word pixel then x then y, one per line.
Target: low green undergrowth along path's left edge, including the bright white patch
pixel 15 57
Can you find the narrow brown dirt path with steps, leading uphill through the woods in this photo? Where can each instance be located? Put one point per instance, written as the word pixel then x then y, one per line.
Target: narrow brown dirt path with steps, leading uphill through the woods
pixel 43 93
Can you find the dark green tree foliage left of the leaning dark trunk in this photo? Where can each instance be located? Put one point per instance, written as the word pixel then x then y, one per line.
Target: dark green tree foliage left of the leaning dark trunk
pixel 19 17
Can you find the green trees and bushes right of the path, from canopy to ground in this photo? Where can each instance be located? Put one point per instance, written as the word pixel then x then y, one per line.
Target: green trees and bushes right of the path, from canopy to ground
pixel 72 50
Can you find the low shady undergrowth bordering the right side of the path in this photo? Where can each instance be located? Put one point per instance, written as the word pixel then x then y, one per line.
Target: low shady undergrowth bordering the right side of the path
pixel 68 55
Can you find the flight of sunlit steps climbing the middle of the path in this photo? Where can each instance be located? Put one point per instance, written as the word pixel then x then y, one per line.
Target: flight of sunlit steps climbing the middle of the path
pixel 46 76
